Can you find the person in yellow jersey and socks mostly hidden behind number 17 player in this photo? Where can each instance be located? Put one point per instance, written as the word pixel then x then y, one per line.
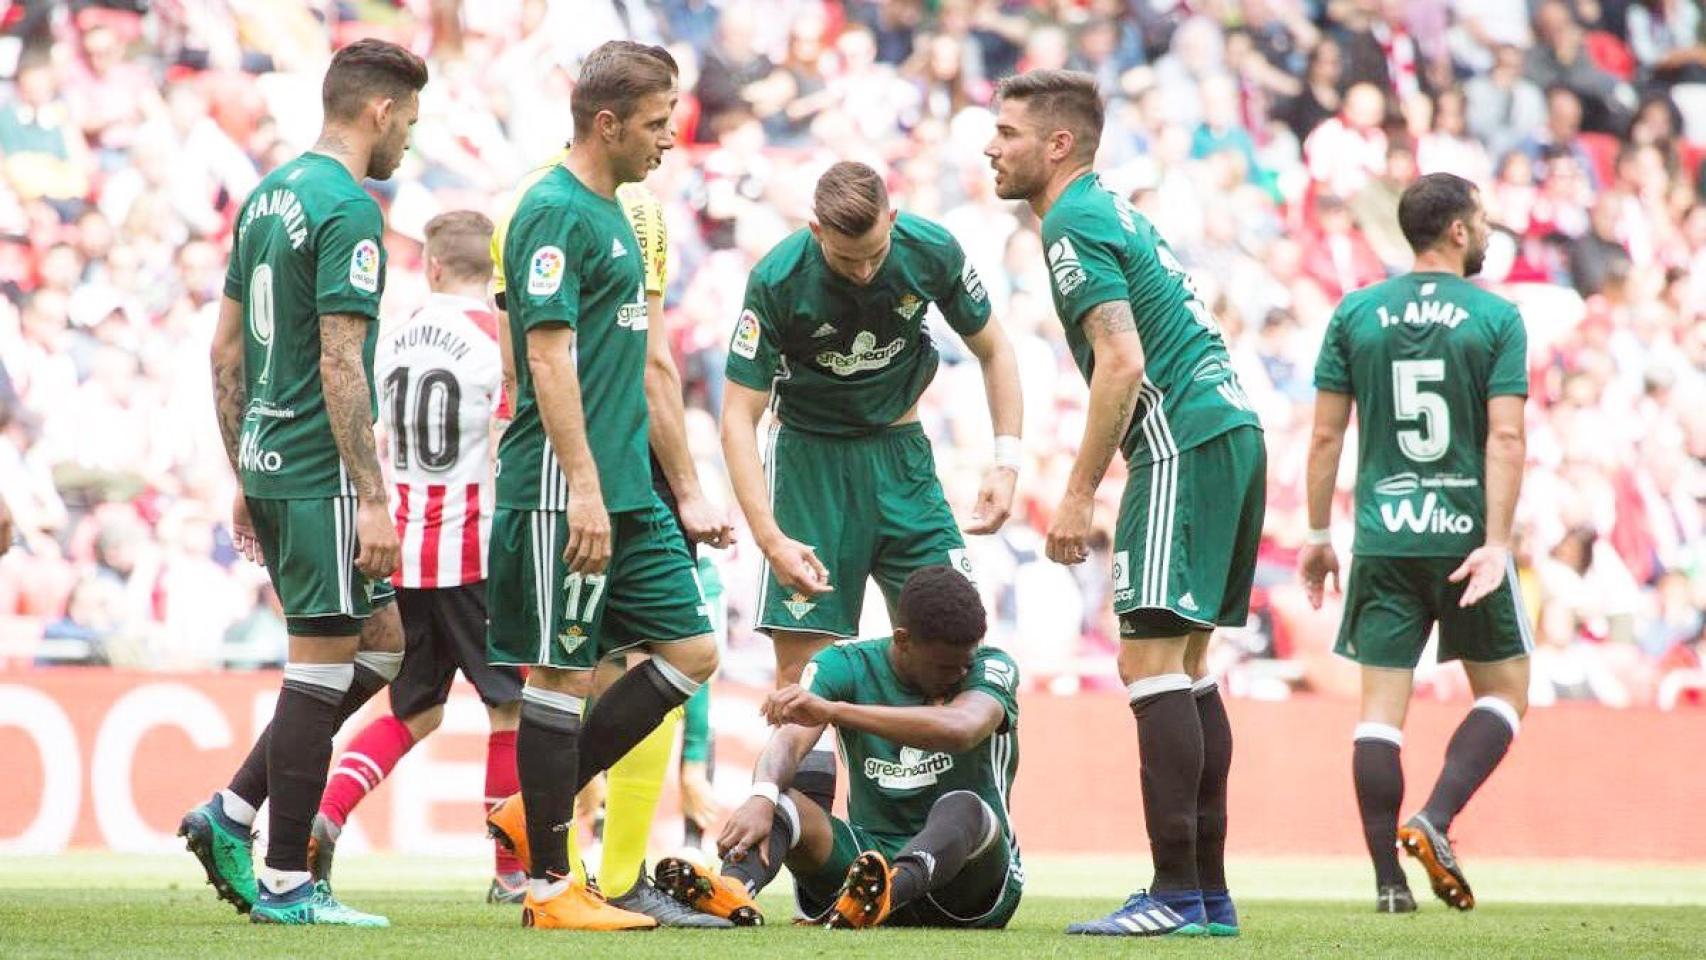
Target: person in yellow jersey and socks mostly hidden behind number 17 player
pixel 637 782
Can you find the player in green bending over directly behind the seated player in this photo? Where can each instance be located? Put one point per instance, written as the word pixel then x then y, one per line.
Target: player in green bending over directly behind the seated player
pixel 833 344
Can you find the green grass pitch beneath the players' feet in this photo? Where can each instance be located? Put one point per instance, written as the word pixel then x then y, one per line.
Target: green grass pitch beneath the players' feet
pixel 158 906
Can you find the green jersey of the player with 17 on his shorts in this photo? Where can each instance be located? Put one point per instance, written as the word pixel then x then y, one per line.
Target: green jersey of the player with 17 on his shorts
pixel 572 260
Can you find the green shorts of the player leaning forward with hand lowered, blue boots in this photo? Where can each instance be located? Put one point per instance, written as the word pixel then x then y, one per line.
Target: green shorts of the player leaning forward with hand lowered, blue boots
pixel 1185 545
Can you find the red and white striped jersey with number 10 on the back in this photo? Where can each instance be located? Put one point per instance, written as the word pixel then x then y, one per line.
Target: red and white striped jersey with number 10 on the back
pixel 441 378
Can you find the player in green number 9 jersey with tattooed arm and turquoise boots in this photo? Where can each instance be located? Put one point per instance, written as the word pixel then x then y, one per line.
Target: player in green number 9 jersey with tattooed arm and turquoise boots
pixel 293 379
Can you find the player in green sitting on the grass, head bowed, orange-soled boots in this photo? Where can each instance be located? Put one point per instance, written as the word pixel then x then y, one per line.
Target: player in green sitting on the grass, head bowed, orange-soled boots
pixel 929 726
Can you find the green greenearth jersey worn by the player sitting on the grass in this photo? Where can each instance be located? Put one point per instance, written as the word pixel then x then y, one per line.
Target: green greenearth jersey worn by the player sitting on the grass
pixel 890 787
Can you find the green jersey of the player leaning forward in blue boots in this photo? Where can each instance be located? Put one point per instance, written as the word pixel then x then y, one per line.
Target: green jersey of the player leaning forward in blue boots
pixel 1101 250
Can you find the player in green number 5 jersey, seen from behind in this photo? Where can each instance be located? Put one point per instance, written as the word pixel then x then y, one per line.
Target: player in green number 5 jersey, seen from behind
pixel 1437 373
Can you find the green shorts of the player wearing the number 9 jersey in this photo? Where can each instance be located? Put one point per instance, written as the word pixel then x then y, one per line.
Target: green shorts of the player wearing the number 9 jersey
pixel 310 548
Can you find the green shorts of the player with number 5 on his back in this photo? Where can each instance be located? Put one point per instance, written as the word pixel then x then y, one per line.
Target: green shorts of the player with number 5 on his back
pixel 1391 604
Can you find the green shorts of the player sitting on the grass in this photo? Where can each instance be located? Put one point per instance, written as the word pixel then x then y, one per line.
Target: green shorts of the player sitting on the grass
pixel 982 898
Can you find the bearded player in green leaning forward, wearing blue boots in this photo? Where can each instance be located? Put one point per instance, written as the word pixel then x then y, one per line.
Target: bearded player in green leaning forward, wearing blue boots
pixel 1163 393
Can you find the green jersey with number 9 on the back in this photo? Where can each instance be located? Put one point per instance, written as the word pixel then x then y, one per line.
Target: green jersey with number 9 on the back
pixel 310 243
